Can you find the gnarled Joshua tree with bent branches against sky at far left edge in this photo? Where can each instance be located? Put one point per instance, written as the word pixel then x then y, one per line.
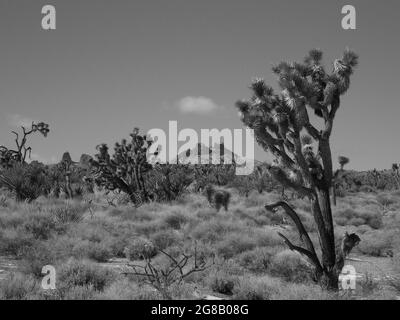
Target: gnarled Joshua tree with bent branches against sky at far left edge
pixel 9 156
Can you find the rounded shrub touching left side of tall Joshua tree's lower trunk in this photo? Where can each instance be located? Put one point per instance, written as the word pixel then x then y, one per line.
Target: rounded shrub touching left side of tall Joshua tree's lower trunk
pixel 290 266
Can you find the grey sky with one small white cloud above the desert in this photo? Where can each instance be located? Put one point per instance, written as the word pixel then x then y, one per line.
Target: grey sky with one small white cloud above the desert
pixel 111 66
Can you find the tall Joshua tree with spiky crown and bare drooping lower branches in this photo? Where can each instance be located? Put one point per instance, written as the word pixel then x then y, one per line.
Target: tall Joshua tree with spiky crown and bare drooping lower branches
pixel 283 127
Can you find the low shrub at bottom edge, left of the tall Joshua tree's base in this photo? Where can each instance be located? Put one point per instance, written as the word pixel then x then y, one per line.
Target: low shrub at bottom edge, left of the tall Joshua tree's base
pixel 253 288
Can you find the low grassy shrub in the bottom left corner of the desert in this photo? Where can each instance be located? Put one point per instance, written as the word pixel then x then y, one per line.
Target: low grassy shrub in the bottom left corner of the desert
pixel 18 286
